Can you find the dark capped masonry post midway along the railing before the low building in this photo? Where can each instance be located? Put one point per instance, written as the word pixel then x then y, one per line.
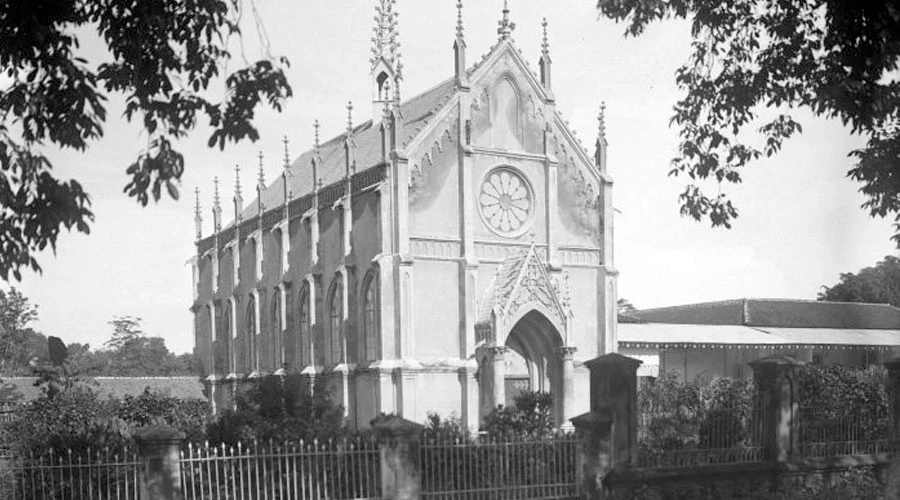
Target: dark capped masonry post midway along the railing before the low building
pixel 776 381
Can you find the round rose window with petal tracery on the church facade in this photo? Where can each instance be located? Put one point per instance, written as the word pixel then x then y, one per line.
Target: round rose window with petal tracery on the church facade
pixel 506 202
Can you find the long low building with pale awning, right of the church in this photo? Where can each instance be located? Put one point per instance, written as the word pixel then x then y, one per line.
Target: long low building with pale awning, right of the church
pixel 720 338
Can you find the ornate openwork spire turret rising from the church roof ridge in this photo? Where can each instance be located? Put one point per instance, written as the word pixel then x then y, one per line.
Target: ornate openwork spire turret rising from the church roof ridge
pixel 385 54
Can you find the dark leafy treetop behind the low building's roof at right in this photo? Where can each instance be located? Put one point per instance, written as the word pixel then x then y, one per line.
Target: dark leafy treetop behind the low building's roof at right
pixel 879 284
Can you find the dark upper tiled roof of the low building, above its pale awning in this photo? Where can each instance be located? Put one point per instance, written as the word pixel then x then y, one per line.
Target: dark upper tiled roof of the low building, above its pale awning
pixel 778 313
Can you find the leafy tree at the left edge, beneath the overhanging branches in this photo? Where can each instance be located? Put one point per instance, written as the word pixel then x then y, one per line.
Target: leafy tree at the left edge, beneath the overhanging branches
pixel 19 343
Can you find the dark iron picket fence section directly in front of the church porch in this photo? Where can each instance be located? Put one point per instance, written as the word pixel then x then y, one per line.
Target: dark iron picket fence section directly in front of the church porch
pixel 486 468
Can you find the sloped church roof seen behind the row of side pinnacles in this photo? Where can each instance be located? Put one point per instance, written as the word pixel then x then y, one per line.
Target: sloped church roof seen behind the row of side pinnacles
pixel 367 137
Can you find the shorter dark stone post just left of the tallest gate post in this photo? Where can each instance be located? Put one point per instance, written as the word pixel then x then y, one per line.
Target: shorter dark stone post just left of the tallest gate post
pixel 594 431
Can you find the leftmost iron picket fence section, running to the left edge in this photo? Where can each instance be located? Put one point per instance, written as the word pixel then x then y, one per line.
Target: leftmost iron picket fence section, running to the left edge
pixel 67 475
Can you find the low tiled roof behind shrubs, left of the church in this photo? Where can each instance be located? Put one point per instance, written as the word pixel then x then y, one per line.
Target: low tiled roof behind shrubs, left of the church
pixel 22 389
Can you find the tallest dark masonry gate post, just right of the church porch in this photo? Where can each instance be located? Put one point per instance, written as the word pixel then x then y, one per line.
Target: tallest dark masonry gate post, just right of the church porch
pixel 614 389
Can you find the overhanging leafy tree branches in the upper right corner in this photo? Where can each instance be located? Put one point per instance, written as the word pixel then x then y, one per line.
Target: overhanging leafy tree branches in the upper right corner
pixel 835 58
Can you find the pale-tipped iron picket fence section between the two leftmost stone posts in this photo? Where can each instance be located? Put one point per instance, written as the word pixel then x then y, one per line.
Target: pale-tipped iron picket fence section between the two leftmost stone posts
pixel 336 470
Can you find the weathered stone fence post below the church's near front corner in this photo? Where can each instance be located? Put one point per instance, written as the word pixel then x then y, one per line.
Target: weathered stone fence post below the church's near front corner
pixel 398 443
